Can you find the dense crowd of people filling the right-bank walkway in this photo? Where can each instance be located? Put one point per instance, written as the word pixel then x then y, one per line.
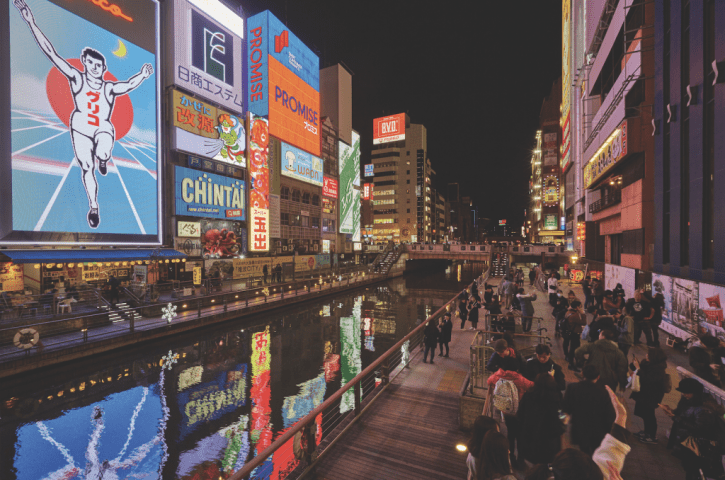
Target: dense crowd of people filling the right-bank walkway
pixel 537 406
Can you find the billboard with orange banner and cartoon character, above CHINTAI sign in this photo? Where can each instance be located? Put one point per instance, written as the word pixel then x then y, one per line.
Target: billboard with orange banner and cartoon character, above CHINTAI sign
pixel 202 129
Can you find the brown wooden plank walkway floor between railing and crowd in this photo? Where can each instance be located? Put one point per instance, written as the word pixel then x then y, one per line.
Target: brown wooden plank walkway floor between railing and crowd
pixel 412 430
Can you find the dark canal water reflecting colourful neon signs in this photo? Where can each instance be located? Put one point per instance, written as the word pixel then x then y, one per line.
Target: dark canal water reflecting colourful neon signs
pixel 199 406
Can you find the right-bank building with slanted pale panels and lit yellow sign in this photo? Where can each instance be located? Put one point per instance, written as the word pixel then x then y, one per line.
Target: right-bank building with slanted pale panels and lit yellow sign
pixel 614 94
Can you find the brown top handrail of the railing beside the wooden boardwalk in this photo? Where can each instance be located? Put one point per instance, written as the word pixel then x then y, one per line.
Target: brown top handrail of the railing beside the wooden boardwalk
pixel 302 423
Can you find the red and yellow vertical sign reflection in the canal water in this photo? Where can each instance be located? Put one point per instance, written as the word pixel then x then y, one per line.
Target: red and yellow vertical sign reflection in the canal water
pixel 261 426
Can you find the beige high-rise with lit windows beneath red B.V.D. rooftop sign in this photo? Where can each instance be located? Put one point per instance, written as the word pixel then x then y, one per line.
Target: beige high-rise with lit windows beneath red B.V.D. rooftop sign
pixel 402 205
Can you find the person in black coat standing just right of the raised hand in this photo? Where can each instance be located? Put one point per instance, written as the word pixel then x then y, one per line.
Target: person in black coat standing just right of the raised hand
pixel 654 383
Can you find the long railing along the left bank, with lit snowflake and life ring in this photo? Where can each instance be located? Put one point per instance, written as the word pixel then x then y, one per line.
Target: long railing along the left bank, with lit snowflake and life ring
pixel 61 333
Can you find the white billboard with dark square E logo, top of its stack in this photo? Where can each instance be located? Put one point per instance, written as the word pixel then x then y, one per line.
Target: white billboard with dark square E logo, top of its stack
pixel 207 51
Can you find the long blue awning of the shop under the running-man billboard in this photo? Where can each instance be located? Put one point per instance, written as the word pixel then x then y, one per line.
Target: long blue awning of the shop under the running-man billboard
pixel 89 255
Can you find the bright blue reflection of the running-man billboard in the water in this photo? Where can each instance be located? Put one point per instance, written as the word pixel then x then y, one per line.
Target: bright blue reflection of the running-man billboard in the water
pixel 125 429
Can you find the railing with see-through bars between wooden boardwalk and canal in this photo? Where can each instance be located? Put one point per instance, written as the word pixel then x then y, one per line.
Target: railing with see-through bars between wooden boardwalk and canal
pixel 338 413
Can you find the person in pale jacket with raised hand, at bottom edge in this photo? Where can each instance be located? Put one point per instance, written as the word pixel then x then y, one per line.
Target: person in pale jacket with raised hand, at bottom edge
pixel 605 464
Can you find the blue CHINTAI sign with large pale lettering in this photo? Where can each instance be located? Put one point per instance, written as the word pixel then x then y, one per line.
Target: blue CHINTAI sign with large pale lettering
pixel 200 194
